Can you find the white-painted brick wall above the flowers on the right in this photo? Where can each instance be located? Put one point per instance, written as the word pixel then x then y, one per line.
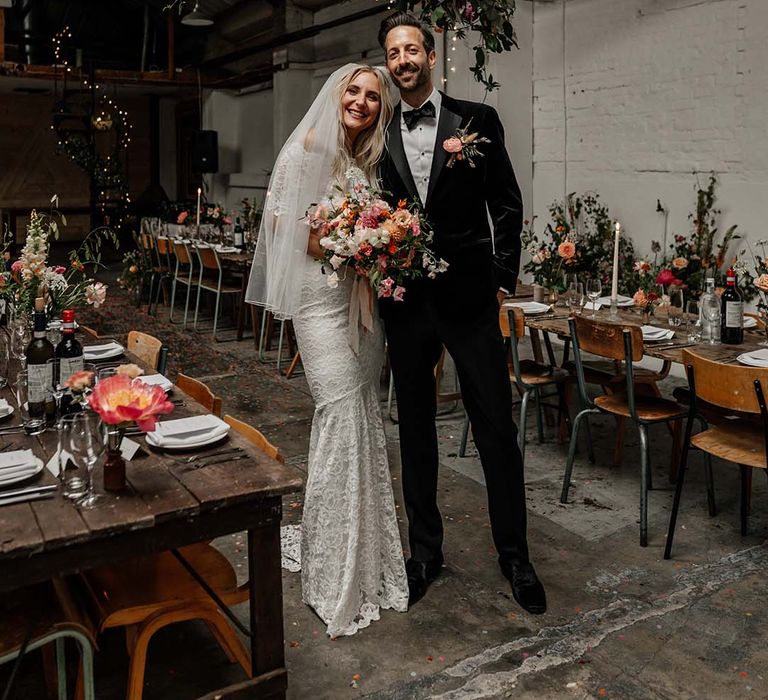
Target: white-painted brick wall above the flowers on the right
pixel 654 90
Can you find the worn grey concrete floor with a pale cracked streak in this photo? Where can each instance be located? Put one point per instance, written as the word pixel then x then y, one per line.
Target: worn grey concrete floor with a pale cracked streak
pixel 622 622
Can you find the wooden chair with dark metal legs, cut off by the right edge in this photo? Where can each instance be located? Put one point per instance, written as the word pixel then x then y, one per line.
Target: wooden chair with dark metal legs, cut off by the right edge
pixel 742 440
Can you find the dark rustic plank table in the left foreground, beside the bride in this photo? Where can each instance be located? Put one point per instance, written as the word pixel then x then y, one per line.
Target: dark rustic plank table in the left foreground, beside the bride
pixel 166 505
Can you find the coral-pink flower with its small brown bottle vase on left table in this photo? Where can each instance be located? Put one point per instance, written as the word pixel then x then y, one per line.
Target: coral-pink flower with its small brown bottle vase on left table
pixel 121 401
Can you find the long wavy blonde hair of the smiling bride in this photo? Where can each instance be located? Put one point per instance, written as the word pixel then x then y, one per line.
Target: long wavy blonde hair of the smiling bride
pixel 368 147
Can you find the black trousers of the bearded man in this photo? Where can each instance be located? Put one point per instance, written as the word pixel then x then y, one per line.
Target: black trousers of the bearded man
pixel 458 310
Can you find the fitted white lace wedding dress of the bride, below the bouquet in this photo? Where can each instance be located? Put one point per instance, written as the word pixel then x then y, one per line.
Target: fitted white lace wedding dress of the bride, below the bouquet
pixel 351 554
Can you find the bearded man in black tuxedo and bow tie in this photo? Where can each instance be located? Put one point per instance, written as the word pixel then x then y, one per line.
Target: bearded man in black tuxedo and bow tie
pixel 459 309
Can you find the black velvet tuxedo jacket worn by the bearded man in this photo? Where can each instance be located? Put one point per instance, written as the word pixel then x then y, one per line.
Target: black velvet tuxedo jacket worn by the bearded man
pixel 459 198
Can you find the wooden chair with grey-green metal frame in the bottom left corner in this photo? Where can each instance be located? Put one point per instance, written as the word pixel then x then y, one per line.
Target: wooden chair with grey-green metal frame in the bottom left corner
pixel 44 614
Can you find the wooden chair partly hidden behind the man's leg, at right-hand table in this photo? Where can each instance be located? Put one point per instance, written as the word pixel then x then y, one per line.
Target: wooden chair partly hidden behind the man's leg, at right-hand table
pixel 531 378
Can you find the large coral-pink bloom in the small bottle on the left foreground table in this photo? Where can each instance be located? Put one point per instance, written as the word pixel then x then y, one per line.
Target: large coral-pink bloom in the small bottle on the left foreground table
pixel 119 400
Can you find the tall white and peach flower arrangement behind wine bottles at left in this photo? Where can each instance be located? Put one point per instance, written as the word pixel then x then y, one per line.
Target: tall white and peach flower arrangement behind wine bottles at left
pixel 62 287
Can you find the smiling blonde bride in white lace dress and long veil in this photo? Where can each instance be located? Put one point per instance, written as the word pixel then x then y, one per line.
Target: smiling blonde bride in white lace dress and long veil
pixel 351 555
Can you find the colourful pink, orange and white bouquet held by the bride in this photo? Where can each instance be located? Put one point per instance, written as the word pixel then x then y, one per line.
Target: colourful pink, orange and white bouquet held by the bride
pixel 362 233
